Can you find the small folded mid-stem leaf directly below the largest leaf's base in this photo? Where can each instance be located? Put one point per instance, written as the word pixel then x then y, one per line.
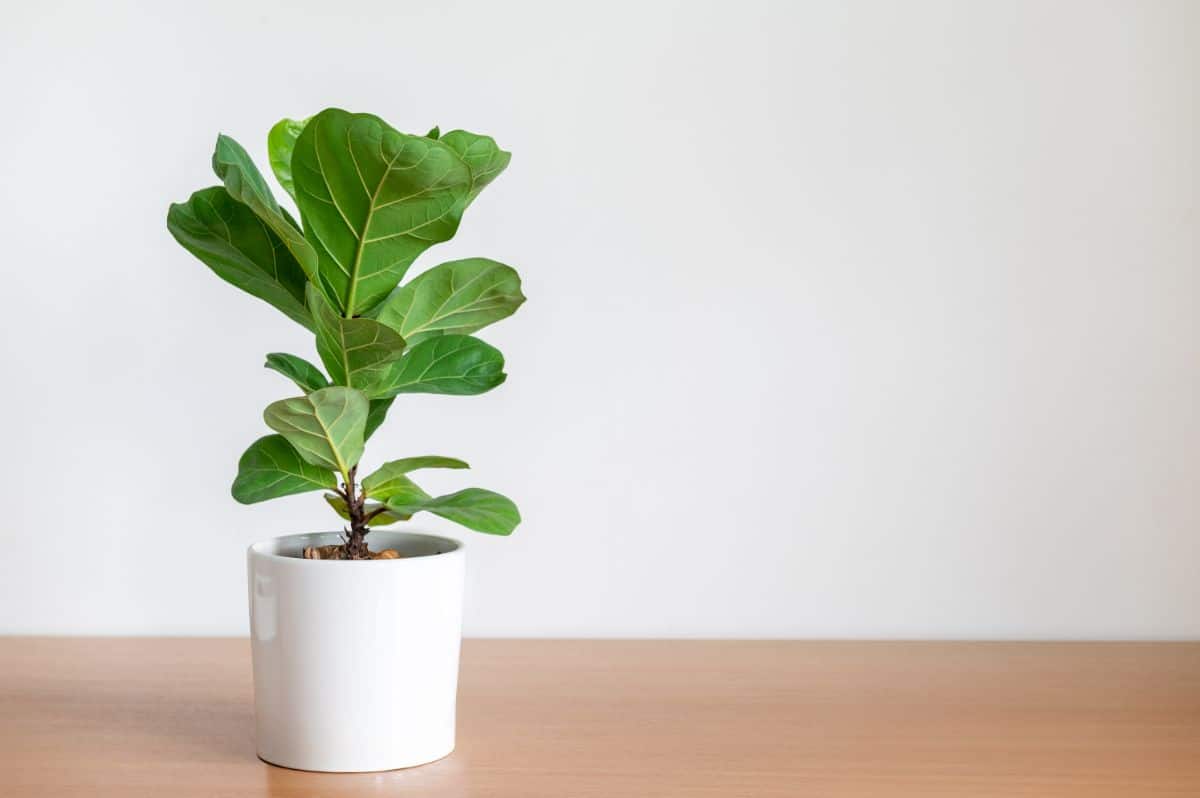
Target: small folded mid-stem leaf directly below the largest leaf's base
pixel 358 353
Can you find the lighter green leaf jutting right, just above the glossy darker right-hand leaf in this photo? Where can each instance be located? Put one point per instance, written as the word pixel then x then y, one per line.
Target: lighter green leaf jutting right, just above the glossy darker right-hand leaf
pixel 457 297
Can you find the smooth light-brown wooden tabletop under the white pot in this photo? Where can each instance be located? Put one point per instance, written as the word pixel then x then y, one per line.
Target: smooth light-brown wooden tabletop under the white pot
pixel 173 718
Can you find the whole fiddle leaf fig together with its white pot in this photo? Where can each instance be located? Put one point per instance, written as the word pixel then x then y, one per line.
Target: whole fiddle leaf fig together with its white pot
pixel 356 634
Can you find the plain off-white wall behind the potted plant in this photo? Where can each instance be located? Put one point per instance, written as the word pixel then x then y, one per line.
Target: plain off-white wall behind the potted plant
pixel 845 320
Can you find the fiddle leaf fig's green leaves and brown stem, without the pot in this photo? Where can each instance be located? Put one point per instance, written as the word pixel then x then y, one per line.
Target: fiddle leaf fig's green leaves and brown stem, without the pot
pixel 371 201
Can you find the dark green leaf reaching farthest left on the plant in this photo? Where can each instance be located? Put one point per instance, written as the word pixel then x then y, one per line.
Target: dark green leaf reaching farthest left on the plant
pixel 241 249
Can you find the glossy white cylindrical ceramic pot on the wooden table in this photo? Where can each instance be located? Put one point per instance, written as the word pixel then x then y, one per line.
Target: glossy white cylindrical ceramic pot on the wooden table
pixel 356 663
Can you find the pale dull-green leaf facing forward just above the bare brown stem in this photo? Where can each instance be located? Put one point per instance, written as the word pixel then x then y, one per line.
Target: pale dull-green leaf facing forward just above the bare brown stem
pixel 325 427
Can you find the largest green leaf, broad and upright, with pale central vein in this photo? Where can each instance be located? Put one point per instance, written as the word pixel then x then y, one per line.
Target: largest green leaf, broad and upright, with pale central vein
pixel 374 199
